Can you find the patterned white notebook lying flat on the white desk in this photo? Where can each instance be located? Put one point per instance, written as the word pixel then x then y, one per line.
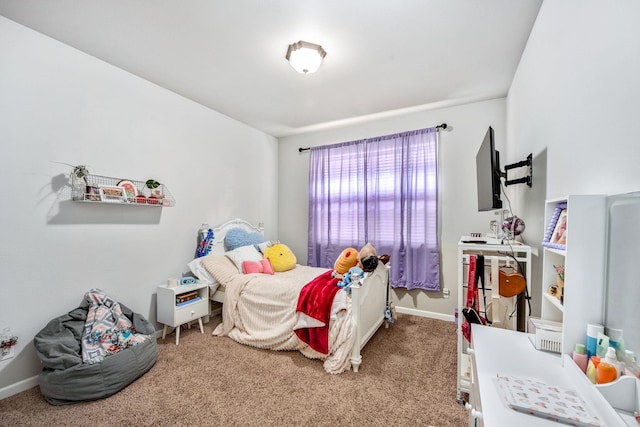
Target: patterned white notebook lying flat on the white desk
pixel 546 401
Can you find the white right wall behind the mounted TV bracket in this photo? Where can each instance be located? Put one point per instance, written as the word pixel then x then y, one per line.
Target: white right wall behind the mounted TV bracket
pixel 575 103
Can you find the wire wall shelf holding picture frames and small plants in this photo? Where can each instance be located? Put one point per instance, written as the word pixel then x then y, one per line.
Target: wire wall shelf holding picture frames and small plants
pixel 100 189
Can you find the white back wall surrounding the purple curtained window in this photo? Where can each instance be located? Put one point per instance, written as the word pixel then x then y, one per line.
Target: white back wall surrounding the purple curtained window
pixel 467 125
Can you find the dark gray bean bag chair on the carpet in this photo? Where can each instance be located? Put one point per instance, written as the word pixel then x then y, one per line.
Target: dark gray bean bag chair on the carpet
pixel 65 379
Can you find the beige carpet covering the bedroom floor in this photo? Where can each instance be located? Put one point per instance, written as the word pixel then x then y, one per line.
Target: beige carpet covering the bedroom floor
pixel 408 378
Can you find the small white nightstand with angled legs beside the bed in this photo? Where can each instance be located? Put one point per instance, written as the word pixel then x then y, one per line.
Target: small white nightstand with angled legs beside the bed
pixel 173 314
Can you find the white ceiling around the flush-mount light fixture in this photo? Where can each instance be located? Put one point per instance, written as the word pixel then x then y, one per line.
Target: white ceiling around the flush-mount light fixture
pixel 383 56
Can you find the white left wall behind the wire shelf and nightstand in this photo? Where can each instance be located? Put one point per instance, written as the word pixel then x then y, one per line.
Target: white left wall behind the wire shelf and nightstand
pixel 59 106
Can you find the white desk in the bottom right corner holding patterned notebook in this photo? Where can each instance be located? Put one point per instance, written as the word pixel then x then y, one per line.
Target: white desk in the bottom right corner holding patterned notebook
pixel 501 351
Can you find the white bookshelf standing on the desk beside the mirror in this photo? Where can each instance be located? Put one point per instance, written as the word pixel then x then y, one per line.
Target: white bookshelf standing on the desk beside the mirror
pixel 584 258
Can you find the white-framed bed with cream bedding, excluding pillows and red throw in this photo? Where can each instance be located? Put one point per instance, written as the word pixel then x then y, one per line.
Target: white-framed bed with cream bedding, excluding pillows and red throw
pixel 260 309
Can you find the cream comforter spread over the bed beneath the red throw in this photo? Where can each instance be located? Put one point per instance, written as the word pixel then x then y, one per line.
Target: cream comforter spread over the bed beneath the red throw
pixel 260 310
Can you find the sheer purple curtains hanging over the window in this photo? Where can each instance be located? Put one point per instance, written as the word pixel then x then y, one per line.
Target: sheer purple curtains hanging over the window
pixel 381 190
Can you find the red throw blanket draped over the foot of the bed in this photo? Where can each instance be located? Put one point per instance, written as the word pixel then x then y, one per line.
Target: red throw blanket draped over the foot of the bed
pixel 315 300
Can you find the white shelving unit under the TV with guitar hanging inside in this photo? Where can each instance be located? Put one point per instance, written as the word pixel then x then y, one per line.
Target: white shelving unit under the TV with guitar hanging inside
pixel 493 248
